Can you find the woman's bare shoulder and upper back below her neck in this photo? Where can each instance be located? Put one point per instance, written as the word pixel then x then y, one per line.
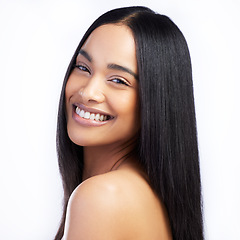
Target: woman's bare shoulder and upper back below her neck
pixel 116 205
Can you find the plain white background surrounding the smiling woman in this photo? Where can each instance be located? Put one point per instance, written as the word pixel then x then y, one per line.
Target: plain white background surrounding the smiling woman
pixel 37 41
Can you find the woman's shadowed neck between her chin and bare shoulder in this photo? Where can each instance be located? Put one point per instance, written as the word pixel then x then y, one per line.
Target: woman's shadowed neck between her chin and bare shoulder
pixel 103 159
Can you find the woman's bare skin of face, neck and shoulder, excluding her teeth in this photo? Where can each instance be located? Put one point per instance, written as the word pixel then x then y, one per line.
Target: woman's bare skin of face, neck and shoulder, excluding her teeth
pixel 115 200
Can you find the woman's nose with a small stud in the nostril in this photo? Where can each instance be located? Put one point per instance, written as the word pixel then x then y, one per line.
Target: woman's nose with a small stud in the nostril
pixel 92 91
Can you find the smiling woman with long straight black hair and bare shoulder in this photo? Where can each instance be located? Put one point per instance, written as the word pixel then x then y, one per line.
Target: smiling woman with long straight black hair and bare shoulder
pixel 126 137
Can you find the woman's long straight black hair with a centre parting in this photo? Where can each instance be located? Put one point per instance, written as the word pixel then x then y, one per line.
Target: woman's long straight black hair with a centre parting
pixel 167 147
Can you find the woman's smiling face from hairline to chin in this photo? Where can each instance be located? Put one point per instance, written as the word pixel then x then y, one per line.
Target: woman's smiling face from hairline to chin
pixel 102 90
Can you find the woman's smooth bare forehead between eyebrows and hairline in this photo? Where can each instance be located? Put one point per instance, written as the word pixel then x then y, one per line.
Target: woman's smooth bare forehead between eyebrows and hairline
pixel 112 43
